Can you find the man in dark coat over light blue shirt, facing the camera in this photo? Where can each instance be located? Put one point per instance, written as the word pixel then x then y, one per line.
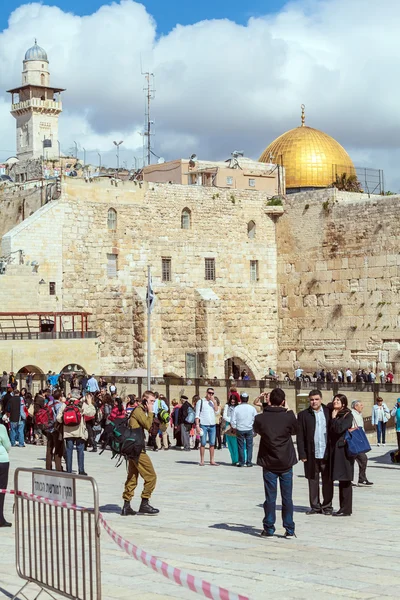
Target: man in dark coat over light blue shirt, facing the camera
pixel 313 449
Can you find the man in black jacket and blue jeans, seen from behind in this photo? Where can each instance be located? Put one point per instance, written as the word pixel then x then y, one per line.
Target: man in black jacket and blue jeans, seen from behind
pixel 277 455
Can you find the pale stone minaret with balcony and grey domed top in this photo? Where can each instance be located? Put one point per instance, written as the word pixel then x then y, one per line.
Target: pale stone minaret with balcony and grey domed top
pixel 36 109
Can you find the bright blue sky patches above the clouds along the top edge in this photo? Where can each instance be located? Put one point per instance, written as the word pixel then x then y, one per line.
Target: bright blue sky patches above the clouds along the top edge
pixel 170 12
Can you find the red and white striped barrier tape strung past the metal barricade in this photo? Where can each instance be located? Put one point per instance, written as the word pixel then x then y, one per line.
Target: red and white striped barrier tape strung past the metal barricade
pixel 195 584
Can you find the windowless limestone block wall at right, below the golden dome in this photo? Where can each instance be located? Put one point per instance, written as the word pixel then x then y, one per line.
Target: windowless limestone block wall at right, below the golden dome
pixel 339 281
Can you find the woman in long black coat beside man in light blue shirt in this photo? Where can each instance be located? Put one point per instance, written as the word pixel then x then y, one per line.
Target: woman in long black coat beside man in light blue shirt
pixel 342 467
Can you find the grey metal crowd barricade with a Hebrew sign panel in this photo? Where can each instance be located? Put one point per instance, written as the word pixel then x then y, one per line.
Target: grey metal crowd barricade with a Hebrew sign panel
pixel 57 542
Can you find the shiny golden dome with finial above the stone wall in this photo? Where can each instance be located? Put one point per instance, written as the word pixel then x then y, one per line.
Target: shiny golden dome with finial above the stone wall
pixel 311 158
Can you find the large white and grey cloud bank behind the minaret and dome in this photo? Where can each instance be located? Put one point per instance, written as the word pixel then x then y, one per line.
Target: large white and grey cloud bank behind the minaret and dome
pixel 220 86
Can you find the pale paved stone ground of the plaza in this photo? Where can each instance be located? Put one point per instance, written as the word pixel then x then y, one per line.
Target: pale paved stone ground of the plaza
pixel 210 524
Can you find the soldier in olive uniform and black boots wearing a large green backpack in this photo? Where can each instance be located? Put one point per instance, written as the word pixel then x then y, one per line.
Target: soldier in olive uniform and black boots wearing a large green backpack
pixel 142 417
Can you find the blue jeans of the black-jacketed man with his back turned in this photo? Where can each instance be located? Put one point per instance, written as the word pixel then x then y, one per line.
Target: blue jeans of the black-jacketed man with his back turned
pixel 270 487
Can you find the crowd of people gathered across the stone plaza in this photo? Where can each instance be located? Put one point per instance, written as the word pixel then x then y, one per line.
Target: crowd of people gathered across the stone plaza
pixel 87 415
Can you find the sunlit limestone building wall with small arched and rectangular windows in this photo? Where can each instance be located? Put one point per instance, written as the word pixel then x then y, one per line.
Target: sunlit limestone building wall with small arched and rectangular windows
pixel 228 317
